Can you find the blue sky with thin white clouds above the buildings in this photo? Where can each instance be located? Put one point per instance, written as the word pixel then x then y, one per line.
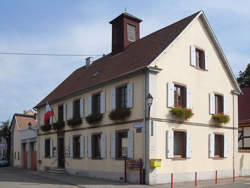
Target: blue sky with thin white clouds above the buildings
pixel 82 27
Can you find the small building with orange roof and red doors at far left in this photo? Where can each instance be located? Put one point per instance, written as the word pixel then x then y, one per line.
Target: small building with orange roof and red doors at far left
pixel 23 129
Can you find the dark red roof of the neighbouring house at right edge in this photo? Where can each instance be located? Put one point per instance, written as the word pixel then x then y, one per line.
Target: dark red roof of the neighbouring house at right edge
pixel 244 106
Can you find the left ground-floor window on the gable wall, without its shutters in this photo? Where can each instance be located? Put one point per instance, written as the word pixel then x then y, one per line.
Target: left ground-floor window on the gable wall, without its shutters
pixel 179 144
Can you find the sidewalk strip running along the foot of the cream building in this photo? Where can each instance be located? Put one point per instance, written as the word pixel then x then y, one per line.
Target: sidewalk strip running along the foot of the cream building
pixel 86 182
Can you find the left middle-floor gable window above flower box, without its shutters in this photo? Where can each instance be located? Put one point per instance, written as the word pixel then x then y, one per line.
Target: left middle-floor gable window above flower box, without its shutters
pixel 179 96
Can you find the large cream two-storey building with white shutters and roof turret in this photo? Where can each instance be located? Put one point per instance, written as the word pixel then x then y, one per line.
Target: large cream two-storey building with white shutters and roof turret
pixel 179 65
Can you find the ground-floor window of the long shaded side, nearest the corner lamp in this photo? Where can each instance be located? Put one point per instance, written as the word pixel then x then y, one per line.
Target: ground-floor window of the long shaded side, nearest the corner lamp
pixel 122 144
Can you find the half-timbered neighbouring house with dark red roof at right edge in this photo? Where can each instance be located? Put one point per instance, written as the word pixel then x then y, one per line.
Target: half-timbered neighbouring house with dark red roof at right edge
pixel 244 119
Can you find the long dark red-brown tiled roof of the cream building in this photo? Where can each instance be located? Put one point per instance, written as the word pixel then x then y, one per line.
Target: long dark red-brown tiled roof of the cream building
pixel 136 56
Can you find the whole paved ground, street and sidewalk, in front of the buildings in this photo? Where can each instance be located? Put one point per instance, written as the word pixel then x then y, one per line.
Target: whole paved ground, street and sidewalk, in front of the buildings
pixel 20 178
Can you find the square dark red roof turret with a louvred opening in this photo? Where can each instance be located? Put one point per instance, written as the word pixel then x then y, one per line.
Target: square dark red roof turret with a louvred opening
pixel 125 30
